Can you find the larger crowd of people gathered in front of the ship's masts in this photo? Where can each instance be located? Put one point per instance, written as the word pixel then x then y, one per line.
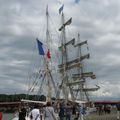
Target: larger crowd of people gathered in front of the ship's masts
pixel 54 111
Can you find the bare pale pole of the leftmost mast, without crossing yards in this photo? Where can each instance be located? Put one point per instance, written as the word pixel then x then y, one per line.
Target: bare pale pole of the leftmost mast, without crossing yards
pixel 47 61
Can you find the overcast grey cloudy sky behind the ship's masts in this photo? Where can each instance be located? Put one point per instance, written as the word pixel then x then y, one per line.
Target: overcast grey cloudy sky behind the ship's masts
pixel 21 21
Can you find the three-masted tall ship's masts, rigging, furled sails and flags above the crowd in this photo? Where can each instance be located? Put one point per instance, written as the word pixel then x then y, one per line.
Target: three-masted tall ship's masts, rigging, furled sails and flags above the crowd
pixel 72 83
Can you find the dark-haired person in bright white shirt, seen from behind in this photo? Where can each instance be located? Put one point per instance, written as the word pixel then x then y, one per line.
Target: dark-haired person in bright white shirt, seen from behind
pixel 35 113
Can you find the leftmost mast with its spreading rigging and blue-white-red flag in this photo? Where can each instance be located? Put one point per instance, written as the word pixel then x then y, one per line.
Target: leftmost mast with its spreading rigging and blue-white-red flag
pixel 45 74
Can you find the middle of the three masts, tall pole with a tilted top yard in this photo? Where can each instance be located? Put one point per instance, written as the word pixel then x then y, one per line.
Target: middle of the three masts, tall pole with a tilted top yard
pixel 67 90
